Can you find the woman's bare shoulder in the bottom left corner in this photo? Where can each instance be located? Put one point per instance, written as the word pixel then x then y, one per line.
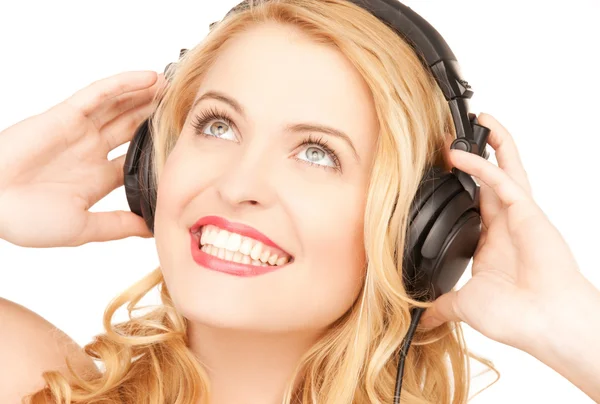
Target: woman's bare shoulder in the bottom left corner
pixel 29 346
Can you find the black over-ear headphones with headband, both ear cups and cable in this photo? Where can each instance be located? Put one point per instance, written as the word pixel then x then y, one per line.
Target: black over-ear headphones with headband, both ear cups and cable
pixel 444 222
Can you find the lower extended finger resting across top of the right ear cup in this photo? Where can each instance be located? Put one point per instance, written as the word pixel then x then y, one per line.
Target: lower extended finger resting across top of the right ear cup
pixel 493 176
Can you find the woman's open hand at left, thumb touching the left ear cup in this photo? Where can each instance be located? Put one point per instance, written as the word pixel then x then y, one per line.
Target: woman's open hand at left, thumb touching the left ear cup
pixel 54 166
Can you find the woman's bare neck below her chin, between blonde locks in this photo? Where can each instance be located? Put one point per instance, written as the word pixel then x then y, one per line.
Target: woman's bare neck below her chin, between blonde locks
pixel 248 366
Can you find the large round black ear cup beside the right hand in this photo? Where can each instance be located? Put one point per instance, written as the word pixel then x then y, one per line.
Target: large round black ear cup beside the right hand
pixel 442 236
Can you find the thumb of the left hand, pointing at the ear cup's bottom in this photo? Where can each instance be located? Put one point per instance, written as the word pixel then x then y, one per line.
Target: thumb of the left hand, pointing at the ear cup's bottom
pixel 117 225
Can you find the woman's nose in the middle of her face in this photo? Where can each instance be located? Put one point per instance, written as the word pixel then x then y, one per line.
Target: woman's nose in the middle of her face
pixel 247 179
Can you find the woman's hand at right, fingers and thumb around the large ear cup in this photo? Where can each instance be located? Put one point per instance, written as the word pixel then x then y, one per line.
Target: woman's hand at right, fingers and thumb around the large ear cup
pixel 522 269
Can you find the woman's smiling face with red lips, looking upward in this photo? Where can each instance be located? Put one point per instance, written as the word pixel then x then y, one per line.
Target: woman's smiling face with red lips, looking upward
pixel 256 171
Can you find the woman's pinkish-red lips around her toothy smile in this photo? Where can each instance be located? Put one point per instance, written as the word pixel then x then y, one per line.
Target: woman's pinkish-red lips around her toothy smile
pixel 233 268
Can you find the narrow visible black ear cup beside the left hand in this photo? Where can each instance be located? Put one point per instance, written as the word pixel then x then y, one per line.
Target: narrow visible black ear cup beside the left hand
pixel 137 175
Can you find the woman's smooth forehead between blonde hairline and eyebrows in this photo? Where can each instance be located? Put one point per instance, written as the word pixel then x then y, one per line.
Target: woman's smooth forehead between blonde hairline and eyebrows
pixel 280 76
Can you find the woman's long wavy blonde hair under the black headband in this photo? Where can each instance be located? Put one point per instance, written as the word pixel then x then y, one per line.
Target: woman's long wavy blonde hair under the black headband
pixel 147 359
